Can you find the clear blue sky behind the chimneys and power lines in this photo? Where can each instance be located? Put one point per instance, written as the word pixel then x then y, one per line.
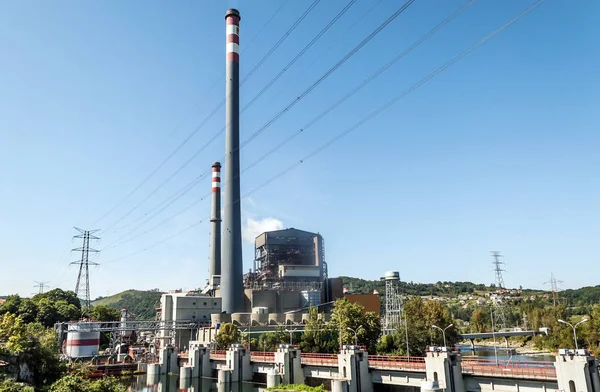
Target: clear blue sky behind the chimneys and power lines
pixel 499 152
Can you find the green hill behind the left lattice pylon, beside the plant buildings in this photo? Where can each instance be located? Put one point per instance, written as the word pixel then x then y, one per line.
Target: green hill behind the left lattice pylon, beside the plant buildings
pixel 140 303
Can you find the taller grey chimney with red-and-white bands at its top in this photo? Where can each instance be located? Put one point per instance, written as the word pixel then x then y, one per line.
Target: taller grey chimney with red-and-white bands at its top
pixel 231 268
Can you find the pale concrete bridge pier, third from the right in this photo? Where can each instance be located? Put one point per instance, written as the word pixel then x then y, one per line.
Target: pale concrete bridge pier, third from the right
pixel 353 367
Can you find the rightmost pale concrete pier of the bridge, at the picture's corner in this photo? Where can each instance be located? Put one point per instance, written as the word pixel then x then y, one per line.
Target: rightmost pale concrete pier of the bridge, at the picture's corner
pixel 577 370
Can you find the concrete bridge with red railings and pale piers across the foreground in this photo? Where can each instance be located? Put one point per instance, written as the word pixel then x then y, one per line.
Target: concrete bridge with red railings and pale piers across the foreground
pixel 353 370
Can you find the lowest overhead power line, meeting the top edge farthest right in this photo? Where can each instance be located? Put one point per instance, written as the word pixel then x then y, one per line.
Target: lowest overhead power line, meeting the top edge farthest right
pixel 373 114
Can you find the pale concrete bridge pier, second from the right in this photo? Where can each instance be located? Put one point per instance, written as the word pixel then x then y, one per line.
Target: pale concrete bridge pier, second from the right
pixel 444 367
